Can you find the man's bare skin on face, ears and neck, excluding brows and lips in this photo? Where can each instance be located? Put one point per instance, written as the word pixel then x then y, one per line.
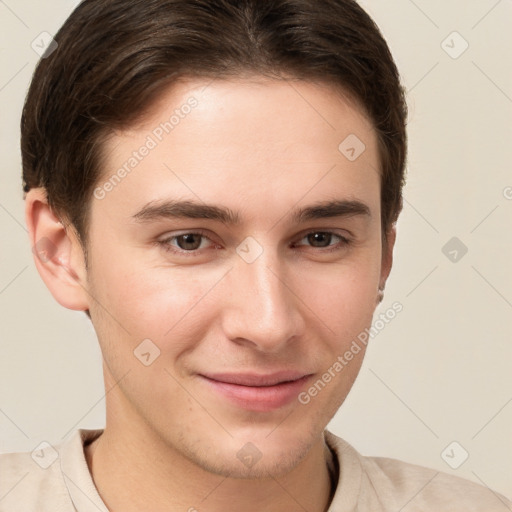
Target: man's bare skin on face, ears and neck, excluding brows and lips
pixel 262 148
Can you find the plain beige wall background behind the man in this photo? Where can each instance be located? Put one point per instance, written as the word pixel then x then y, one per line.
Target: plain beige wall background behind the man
pixel 440 371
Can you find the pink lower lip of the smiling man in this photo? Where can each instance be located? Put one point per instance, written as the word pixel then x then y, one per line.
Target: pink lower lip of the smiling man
pixel 261 399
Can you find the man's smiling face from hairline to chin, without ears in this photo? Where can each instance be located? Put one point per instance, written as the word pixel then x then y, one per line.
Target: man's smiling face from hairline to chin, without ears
pixel 216 317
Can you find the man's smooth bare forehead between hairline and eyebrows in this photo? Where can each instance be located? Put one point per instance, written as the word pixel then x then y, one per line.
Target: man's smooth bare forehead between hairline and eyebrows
pixel 240 142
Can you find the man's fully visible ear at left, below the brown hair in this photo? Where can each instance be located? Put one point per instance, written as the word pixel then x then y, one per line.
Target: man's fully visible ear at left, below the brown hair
pixel 57 252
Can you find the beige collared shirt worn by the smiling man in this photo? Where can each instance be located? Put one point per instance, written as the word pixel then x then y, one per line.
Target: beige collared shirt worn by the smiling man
pixel 57 479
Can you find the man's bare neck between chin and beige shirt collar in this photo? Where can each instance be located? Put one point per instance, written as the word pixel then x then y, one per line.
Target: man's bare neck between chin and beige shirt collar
pixel 133 471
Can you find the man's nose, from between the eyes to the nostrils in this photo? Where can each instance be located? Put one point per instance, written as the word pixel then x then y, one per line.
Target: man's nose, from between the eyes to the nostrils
pixel 263 311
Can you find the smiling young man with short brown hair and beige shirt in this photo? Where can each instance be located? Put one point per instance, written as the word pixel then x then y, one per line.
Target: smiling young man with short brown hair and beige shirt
pixel 216 184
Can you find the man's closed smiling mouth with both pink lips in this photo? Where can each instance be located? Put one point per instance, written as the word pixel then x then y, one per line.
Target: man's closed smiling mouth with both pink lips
pixel 257 392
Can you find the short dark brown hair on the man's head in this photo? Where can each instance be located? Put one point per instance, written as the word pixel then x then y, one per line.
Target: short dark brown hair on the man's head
pixel 115 56
